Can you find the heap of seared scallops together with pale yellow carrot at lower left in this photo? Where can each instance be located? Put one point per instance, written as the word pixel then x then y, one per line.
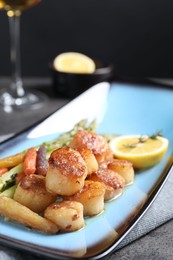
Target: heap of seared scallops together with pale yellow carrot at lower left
pixel 80 178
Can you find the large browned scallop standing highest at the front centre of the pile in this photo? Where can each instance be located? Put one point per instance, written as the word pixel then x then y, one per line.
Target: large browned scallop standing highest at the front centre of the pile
pixel 67 171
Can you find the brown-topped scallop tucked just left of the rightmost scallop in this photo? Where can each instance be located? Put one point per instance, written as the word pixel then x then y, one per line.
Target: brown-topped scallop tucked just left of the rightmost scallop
pixel 112 181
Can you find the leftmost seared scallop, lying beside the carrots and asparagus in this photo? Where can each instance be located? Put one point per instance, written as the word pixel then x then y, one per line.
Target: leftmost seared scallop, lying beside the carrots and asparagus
pixel 32 193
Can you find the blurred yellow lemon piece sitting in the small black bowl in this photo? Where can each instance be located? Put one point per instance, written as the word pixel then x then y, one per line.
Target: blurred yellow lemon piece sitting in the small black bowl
pixel 74 62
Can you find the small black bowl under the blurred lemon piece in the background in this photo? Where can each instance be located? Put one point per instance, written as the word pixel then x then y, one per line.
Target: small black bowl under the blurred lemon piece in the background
pixel 70 85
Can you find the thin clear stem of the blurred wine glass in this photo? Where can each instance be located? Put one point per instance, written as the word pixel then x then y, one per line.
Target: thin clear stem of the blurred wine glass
pixel 16 80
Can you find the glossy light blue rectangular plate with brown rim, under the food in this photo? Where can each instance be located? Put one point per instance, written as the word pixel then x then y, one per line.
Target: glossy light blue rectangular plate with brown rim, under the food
pixel 119 109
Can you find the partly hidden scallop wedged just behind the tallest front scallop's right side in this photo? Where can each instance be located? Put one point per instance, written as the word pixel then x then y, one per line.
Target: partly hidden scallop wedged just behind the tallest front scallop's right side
pixel 90 160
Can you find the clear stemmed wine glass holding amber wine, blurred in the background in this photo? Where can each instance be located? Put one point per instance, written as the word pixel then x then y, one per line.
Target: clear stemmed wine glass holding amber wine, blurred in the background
pixel 15 96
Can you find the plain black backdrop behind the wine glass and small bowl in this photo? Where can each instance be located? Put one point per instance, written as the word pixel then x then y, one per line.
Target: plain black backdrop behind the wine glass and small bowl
pixel 135 35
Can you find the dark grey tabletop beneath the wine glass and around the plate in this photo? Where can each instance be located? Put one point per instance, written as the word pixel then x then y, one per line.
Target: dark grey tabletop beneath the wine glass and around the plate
pixel 157 244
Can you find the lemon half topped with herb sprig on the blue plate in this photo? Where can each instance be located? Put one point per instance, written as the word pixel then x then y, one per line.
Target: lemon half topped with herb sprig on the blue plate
pixel 143 153
